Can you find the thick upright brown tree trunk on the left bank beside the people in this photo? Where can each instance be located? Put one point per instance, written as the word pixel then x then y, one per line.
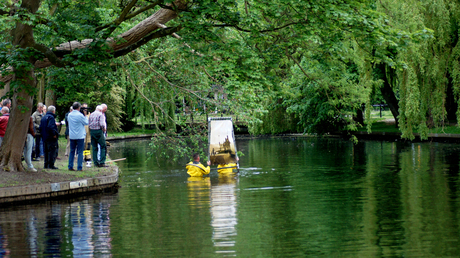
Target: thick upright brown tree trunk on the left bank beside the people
pixel 16 131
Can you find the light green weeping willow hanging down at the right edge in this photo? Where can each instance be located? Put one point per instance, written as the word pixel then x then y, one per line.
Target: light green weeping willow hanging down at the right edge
pixel 428 87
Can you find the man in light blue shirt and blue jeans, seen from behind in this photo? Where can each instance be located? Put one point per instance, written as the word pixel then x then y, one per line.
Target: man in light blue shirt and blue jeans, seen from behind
pixel 77 134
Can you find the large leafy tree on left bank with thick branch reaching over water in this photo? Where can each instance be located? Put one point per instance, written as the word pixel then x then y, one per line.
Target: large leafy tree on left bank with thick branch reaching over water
pixel 245 45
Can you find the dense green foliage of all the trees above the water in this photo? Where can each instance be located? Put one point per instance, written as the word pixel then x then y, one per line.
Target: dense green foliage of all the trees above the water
pixel 310 66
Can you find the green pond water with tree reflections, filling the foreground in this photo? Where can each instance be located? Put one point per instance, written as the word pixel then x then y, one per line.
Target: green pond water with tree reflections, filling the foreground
pixel 293 197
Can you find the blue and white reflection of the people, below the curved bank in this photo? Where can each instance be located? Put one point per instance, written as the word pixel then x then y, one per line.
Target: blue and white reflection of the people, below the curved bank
pixel 78 229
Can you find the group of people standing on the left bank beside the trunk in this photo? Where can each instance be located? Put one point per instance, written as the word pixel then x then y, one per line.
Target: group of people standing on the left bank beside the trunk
pixel 44 129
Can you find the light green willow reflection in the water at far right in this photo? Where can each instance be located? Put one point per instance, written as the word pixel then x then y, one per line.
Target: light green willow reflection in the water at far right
pixel 428 199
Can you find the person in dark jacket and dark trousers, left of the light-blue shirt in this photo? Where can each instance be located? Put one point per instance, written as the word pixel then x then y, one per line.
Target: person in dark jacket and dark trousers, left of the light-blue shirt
pixel 50 133
